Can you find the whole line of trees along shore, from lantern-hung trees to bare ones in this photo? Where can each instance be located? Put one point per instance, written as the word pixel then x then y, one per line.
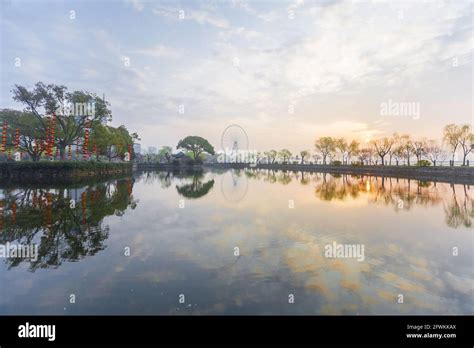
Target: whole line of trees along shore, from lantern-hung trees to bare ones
pixel 69 132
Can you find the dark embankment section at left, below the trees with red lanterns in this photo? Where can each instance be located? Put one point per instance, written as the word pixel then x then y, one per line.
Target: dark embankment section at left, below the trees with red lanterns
pixel 60 171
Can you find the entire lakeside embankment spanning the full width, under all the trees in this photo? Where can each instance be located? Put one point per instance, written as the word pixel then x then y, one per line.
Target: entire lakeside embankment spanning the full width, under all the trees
pixel 67 172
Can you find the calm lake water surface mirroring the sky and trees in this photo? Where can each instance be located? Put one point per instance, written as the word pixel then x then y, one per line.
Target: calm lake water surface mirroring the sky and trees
pixel 238 242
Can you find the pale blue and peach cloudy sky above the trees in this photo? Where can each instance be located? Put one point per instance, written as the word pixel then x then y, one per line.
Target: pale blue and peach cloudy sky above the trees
pixel 287 72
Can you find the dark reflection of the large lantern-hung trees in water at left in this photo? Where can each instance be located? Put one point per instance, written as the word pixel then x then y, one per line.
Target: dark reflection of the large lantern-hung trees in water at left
pixel 66 223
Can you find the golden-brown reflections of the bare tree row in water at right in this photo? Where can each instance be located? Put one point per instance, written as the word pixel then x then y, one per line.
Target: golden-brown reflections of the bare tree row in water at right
pixel 401 194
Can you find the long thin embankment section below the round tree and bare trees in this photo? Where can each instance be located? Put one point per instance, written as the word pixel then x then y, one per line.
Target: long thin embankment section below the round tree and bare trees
pixel 454 175
